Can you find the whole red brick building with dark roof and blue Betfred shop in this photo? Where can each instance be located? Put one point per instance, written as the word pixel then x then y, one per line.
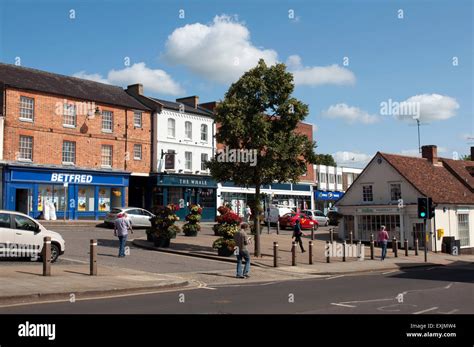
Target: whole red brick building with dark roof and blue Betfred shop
pixel 70 142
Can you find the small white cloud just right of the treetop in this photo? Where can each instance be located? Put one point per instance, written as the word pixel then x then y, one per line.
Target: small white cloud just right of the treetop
pixel 319 75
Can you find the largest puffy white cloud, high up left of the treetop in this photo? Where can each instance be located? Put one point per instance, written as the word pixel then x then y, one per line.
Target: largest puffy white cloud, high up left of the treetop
pixel 220 51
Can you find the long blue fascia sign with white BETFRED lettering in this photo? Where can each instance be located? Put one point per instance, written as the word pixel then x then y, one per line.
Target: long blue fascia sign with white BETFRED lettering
pixel 70 177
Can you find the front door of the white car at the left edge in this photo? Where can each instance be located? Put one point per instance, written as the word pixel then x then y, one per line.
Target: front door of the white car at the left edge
pixel 27 235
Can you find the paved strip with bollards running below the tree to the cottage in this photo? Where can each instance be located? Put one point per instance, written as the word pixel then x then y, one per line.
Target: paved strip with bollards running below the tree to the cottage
pixel 201 247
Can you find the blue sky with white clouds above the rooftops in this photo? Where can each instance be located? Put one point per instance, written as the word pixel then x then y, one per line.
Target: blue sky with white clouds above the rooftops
pixel 402 59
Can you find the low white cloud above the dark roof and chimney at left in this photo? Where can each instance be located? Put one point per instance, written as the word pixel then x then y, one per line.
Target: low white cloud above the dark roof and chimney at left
pixel 153 80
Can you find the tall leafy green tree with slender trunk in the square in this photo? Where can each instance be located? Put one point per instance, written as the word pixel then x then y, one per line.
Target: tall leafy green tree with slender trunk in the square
pixel 259 114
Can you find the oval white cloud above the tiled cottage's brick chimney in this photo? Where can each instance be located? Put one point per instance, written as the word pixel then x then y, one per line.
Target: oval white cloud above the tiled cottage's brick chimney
pixel 432 107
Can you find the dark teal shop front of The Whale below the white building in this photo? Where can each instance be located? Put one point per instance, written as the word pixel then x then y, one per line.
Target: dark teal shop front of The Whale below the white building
pixel 184 191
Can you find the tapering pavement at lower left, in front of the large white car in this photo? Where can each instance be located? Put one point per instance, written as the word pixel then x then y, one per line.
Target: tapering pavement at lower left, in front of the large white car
pixel 25 283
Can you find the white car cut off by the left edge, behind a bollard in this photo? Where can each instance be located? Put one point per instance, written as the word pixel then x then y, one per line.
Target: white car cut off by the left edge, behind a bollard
pixel 22 236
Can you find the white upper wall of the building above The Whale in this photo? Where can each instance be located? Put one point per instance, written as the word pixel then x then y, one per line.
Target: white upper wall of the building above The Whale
pixel 179 143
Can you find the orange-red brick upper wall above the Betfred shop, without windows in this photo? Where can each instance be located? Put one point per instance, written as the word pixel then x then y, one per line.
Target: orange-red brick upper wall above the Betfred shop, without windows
pixel 49 133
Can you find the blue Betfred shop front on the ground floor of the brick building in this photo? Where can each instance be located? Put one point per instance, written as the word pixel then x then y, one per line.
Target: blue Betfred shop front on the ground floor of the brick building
pixel 75 194
